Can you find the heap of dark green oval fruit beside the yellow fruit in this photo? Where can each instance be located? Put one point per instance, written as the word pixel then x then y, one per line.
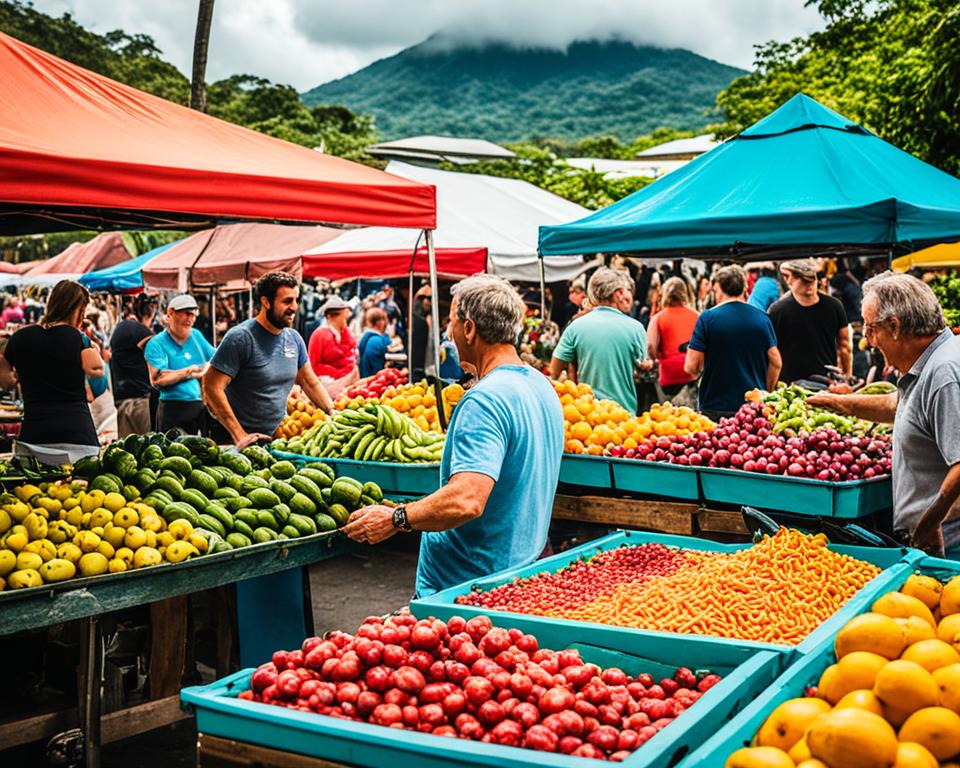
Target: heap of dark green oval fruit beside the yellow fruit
pixel 233 499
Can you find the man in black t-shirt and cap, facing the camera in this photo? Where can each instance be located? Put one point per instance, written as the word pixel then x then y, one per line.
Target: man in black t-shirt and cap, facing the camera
pixel 811 327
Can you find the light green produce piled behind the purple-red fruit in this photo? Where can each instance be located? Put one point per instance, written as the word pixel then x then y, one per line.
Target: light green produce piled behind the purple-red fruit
pixel 788 412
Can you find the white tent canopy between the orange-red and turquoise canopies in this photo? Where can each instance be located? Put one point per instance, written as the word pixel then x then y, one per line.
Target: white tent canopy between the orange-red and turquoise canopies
pixel 473 212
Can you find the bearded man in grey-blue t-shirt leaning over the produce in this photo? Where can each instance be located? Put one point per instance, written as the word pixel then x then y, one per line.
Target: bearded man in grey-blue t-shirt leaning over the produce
pixel 257 364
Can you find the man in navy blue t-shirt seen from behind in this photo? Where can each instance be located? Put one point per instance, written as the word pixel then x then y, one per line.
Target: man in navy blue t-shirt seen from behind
pixel 733 346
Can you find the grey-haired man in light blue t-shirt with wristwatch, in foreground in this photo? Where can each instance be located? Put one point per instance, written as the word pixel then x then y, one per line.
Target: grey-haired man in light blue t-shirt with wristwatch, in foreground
pixel 501 460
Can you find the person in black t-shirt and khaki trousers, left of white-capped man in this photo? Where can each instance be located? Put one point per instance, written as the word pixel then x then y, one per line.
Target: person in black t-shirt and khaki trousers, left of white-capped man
pixel 128 368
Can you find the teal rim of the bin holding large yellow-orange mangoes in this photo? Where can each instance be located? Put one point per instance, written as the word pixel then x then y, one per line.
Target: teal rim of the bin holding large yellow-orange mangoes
pixel 792 683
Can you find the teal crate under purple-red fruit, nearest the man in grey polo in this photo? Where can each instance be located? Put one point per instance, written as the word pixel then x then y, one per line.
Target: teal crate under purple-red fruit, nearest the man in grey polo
pixel 799 495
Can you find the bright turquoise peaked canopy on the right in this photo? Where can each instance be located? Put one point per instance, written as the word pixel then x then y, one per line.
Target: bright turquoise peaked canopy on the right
pixel 803 180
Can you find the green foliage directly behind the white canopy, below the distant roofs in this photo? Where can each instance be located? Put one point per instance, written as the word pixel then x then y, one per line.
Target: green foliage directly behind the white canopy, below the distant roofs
pixel 541 166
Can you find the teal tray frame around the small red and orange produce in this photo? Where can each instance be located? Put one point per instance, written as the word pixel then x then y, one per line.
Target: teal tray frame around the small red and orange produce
pixel 443 604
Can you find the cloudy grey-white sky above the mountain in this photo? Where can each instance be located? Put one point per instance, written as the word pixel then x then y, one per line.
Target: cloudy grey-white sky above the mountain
pixel 308 42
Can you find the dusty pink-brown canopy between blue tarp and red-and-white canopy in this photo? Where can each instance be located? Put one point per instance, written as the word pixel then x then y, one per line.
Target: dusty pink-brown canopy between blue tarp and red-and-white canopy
pixel 234 253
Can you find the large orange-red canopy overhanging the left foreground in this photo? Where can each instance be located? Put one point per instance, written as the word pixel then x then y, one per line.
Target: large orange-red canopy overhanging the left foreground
pixel 81 151
